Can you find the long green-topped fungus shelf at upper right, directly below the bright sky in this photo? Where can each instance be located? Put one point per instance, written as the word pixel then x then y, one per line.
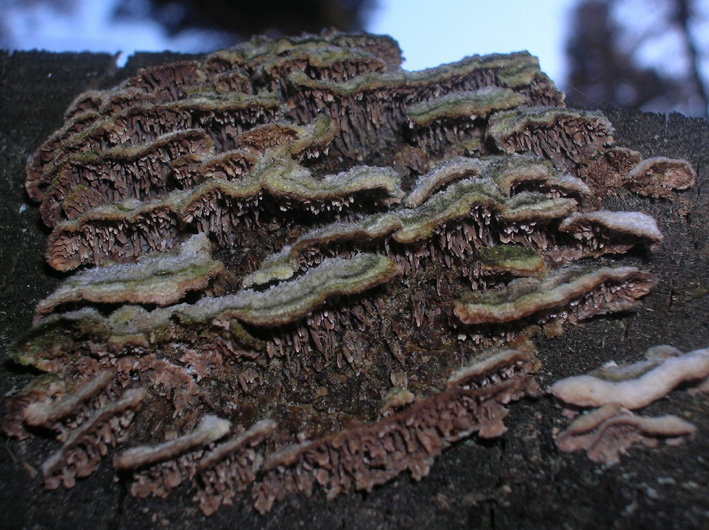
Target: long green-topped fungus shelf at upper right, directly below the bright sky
pixel 386 95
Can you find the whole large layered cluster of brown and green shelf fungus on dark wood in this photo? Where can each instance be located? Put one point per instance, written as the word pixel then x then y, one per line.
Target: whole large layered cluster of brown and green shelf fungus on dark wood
pixel 306 265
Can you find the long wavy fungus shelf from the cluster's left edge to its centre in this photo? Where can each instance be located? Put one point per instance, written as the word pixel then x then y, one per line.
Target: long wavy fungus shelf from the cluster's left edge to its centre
pixel 122 231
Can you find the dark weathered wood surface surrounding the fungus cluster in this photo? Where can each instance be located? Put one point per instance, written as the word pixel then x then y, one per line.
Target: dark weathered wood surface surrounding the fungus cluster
pixel 517 481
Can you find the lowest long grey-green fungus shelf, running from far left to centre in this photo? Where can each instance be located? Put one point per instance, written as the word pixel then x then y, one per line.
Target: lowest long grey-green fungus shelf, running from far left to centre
pixel 133 327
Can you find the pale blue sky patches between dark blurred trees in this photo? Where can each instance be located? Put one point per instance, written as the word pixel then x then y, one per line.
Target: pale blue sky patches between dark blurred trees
pixel 427 32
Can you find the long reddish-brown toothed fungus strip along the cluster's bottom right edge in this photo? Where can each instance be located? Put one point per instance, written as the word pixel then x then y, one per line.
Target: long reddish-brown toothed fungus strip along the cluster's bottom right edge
pixel 369 455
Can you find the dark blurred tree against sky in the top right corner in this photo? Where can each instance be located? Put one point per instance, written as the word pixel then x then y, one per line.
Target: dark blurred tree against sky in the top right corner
pixel 604 69
